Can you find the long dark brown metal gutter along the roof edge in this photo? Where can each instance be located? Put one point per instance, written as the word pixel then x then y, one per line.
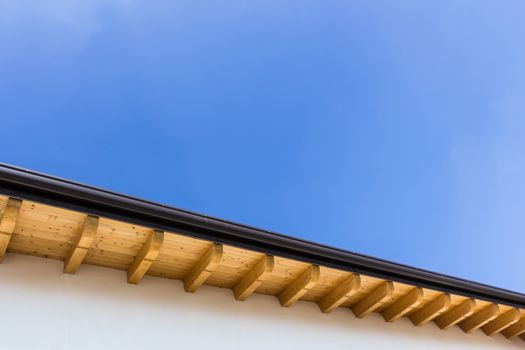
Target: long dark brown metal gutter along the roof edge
pixel 38 187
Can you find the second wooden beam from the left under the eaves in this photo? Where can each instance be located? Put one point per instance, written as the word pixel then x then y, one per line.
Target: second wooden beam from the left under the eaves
pixel 83 243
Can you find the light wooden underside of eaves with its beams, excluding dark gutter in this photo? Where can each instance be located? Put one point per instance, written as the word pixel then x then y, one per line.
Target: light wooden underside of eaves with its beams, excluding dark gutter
pixel 57 233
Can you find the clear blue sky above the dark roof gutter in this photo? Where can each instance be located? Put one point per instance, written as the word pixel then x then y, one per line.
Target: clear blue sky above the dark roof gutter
pixel 390 128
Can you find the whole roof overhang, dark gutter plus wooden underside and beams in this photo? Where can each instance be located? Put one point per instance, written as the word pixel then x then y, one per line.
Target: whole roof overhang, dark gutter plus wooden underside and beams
pixel 78 224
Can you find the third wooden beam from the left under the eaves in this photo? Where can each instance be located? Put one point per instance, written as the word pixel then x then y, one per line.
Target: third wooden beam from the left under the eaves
pixel 145 257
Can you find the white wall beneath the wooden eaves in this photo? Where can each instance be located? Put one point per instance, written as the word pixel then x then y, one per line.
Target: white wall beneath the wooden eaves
pixel 96 309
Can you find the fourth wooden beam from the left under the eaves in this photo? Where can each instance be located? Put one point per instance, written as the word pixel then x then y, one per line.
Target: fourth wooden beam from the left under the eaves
pixel 204 268
